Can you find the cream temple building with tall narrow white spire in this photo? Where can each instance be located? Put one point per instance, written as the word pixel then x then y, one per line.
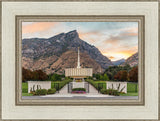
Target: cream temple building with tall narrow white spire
pixel 78 73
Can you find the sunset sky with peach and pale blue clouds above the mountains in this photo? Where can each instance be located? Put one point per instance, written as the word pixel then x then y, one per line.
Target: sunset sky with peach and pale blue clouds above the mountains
pixel 115 40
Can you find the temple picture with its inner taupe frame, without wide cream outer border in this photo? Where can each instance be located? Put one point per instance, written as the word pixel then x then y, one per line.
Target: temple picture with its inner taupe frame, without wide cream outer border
pixel 75 65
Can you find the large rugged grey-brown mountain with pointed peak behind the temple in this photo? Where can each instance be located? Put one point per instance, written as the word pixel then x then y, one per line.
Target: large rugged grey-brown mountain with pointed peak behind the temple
pixel 53 55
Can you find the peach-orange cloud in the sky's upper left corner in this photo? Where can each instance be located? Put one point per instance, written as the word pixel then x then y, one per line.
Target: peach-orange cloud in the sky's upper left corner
pixel 35 27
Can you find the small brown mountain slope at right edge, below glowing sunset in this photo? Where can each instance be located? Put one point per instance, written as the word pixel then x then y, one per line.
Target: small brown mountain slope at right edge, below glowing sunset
pixel 132 60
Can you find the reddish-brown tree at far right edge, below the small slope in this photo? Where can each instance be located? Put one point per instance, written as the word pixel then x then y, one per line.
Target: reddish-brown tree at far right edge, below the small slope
pixel 133 74
